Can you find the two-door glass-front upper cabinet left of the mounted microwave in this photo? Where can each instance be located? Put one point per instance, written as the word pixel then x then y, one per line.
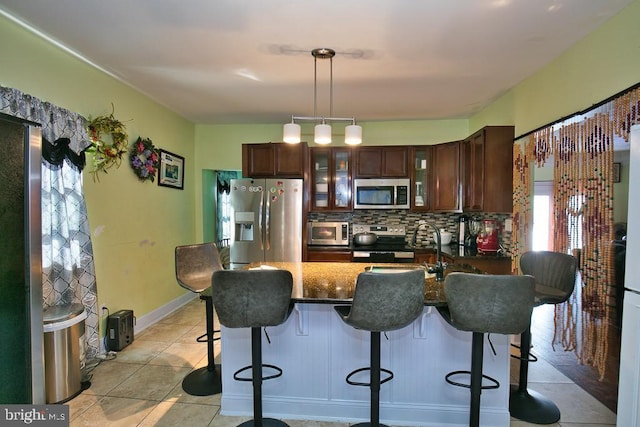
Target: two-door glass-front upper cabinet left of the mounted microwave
pixel 330 179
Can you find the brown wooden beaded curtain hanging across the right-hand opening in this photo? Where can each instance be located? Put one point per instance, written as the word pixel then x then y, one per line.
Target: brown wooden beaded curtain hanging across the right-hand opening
pixel 582 150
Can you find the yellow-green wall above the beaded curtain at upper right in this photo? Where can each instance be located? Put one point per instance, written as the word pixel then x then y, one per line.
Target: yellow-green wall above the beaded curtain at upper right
pixel 598 66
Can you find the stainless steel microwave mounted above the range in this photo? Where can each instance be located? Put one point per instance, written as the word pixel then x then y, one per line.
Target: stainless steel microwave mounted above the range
pixel 381 193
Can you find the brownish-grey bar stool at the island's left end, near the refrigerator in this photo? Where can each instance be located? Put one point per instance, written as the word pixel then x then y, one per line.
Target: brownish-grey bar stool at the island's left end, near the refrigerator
pixel 194 266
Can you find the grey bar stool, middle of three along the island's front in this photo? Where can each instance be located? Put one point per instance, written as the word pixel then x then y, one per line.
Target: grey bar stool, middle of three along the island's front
pixel 382 302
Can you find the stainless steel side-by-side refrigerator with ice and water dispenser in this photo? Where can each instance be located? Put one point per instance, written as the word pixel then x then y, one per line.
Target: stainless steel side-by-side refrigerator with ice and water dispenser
pixel 266 216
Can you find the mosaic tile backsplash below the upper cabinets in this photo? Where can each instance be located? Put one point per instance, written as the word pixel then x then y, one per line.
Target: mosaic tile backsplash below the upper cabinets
pixel 447 221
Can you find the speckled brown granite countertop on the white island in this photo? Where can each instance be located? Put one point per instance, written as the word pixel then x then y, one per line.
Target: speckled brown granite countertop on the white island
pixel 334 282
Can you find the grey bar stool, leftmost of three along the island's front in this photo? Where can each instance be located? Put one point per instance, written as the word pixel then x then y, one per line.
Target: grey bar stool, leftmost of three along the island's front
pixel 254 299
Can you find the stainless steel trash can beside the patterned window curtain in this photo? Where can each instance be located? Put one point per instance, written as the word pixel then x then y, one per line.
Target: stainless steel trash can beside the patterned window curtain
pixel 63 332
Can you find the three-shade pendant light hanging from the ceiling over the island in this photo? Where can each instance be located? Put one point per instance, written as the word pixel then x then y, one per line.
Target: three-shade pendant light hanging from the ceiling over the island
pixel 322 131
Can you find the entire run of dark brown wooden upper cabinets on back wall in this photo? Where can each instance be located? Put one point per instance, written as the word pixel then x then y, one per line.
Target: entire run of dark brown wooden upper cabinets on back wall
pixel 474 175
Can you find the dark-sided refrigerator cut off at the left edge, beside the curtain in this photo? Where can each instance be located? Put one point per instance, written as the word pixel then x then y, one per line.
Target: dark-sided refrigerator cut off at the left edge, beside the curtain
pixel 21 329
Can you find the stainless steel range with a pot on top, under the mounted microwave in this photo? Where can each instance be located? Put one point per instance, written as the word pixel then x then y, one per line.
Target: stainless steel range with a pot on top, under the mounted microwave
pixel 390 245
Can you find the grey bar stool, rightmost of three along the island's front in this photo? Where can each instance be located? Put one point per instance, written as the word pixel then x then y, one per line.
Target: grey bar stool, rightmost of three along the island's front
pixel 483 304
